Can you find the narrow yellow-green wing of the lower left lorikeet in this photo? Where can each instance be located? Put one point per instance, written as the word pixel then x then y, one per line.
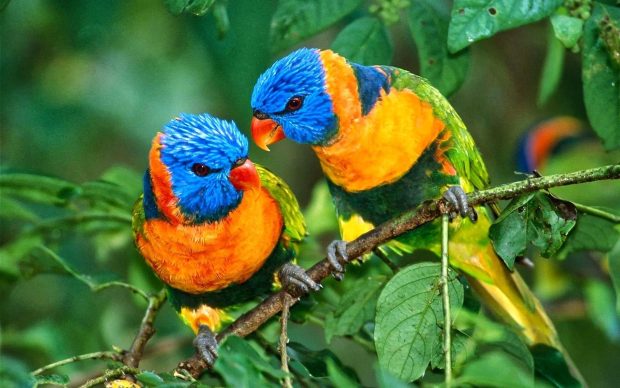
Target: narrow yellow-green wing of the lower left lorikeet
pixel 294 224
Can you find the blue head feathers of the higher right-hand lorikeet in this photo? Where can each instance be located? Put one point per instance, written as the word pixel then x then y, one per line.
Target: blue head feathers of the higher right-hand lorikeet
pixel 300 73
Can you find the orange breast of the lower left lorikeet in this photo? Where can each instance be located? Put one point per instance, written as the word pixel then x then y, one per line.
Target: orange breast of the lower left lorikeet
pixel 209 257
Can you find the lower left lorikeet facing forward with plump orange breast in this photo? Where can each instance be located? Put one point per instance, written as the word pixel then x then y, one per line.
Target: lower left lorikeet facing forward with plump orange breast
pixel 213 226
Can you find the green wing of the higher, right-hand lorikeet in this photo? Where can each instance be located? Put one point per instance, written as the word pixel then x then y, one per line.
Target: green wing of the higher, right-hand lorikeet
pixel 463 152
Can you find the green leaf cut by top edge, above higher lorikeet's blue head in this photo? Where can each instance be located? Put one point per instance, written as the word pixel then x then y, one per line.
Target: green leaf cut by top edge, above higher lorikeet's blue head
pixel 296 20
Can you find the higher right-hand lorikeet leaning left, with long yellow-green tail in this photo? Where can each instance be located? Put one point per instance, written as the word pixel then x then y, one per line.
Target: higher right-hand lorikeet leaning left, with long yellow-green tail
pixel 387 140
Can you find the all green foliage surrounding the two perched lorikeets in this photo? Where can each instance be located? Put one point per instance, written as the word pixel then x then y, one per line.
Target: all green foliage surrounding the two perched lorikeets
pixel 89 84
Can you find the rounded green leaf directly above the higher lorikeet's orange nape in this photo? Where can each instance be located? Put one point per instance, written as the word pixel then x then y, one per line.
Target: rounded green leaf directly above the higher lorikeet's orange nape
pixel 365 41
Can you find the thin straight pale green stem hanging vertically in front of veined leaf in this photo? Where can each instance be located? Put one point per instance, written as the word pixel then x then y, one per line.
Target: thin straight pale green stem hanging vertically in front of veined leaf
pixel 447 320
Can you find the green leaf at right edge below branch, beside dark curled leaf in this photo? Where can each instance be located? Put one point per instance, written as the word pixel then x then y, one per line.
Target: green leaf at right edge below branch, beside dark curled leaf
pixel 590 233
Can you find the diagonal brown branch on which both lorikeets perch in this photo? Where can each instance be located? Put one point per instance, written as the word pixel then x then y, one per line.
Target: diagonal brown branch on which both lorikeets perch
pixel 428 211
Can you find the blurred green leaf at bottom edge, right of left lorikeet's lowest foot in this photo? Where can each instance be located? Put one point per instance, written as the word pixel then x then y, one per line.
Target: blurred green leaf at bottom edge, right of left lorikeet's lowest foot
pixel 241 365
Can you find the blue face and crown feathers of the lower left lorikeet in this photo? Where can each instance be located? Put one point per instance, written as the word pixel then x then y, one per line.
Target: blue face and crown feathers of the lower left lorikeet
pixel 216 143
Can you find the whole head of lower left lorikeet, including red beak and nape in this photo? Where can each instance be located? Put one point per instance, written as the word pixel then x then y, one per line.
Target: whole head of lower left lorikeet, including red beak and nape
pixel 198 169
